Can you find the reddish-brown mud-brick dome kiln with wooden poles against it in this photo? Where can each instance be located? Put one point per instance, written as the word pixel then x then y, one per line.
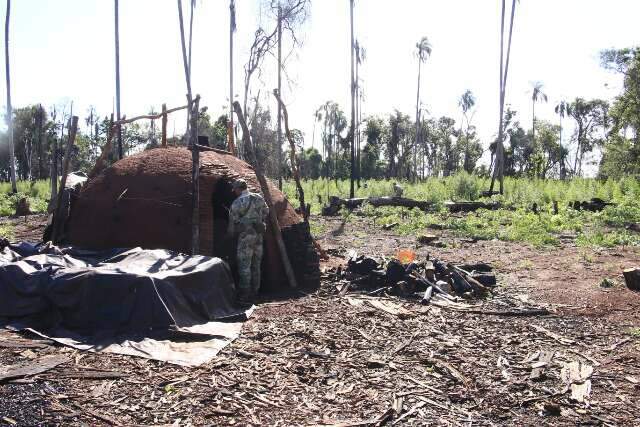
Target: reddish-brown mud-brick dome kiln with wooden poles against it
pixel 145 200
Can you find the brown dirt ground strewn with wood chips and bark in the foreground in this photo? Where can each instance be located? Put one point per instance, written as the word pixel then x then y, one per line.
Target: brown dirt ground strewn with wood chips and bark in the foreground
pixel 321 359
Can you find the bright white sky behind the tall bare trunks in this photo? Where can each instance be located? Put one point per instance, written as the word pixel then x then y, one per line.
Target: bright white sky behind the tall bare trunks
pixel 63 51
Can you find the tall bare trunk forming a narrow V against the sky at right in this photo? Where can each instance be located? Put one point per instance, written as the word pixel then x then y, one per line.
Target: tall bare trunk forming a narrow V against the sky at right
pixel 498 169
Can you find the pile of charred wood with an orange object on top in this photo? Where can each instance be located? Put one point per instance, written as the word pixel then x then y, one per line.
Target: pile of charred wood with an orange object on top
pixel 405 277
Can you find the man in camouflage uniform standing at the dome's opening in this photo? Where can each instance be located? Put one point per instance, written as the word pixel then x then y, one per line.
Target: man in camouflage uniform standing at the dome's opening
pixel 247 223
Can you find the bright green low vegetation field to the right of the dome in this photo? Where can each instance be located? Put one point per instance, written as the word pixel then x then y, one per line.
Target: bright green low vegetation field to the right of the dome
pixel 517 223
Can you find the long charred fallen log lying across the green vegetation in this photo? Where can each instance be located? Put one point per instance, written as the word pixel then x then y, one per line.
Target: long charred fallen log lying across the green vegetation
pixel 335 203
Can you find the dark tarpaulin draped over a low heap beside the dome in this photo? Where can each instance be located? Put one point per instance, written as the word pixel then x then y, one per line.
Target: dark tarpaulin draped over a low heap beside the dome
pixel 157 304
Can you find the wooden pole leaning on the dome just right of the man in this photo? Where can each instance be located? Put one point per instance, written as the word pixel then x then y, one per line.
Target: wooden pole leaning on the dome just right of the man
pixel 273 218
